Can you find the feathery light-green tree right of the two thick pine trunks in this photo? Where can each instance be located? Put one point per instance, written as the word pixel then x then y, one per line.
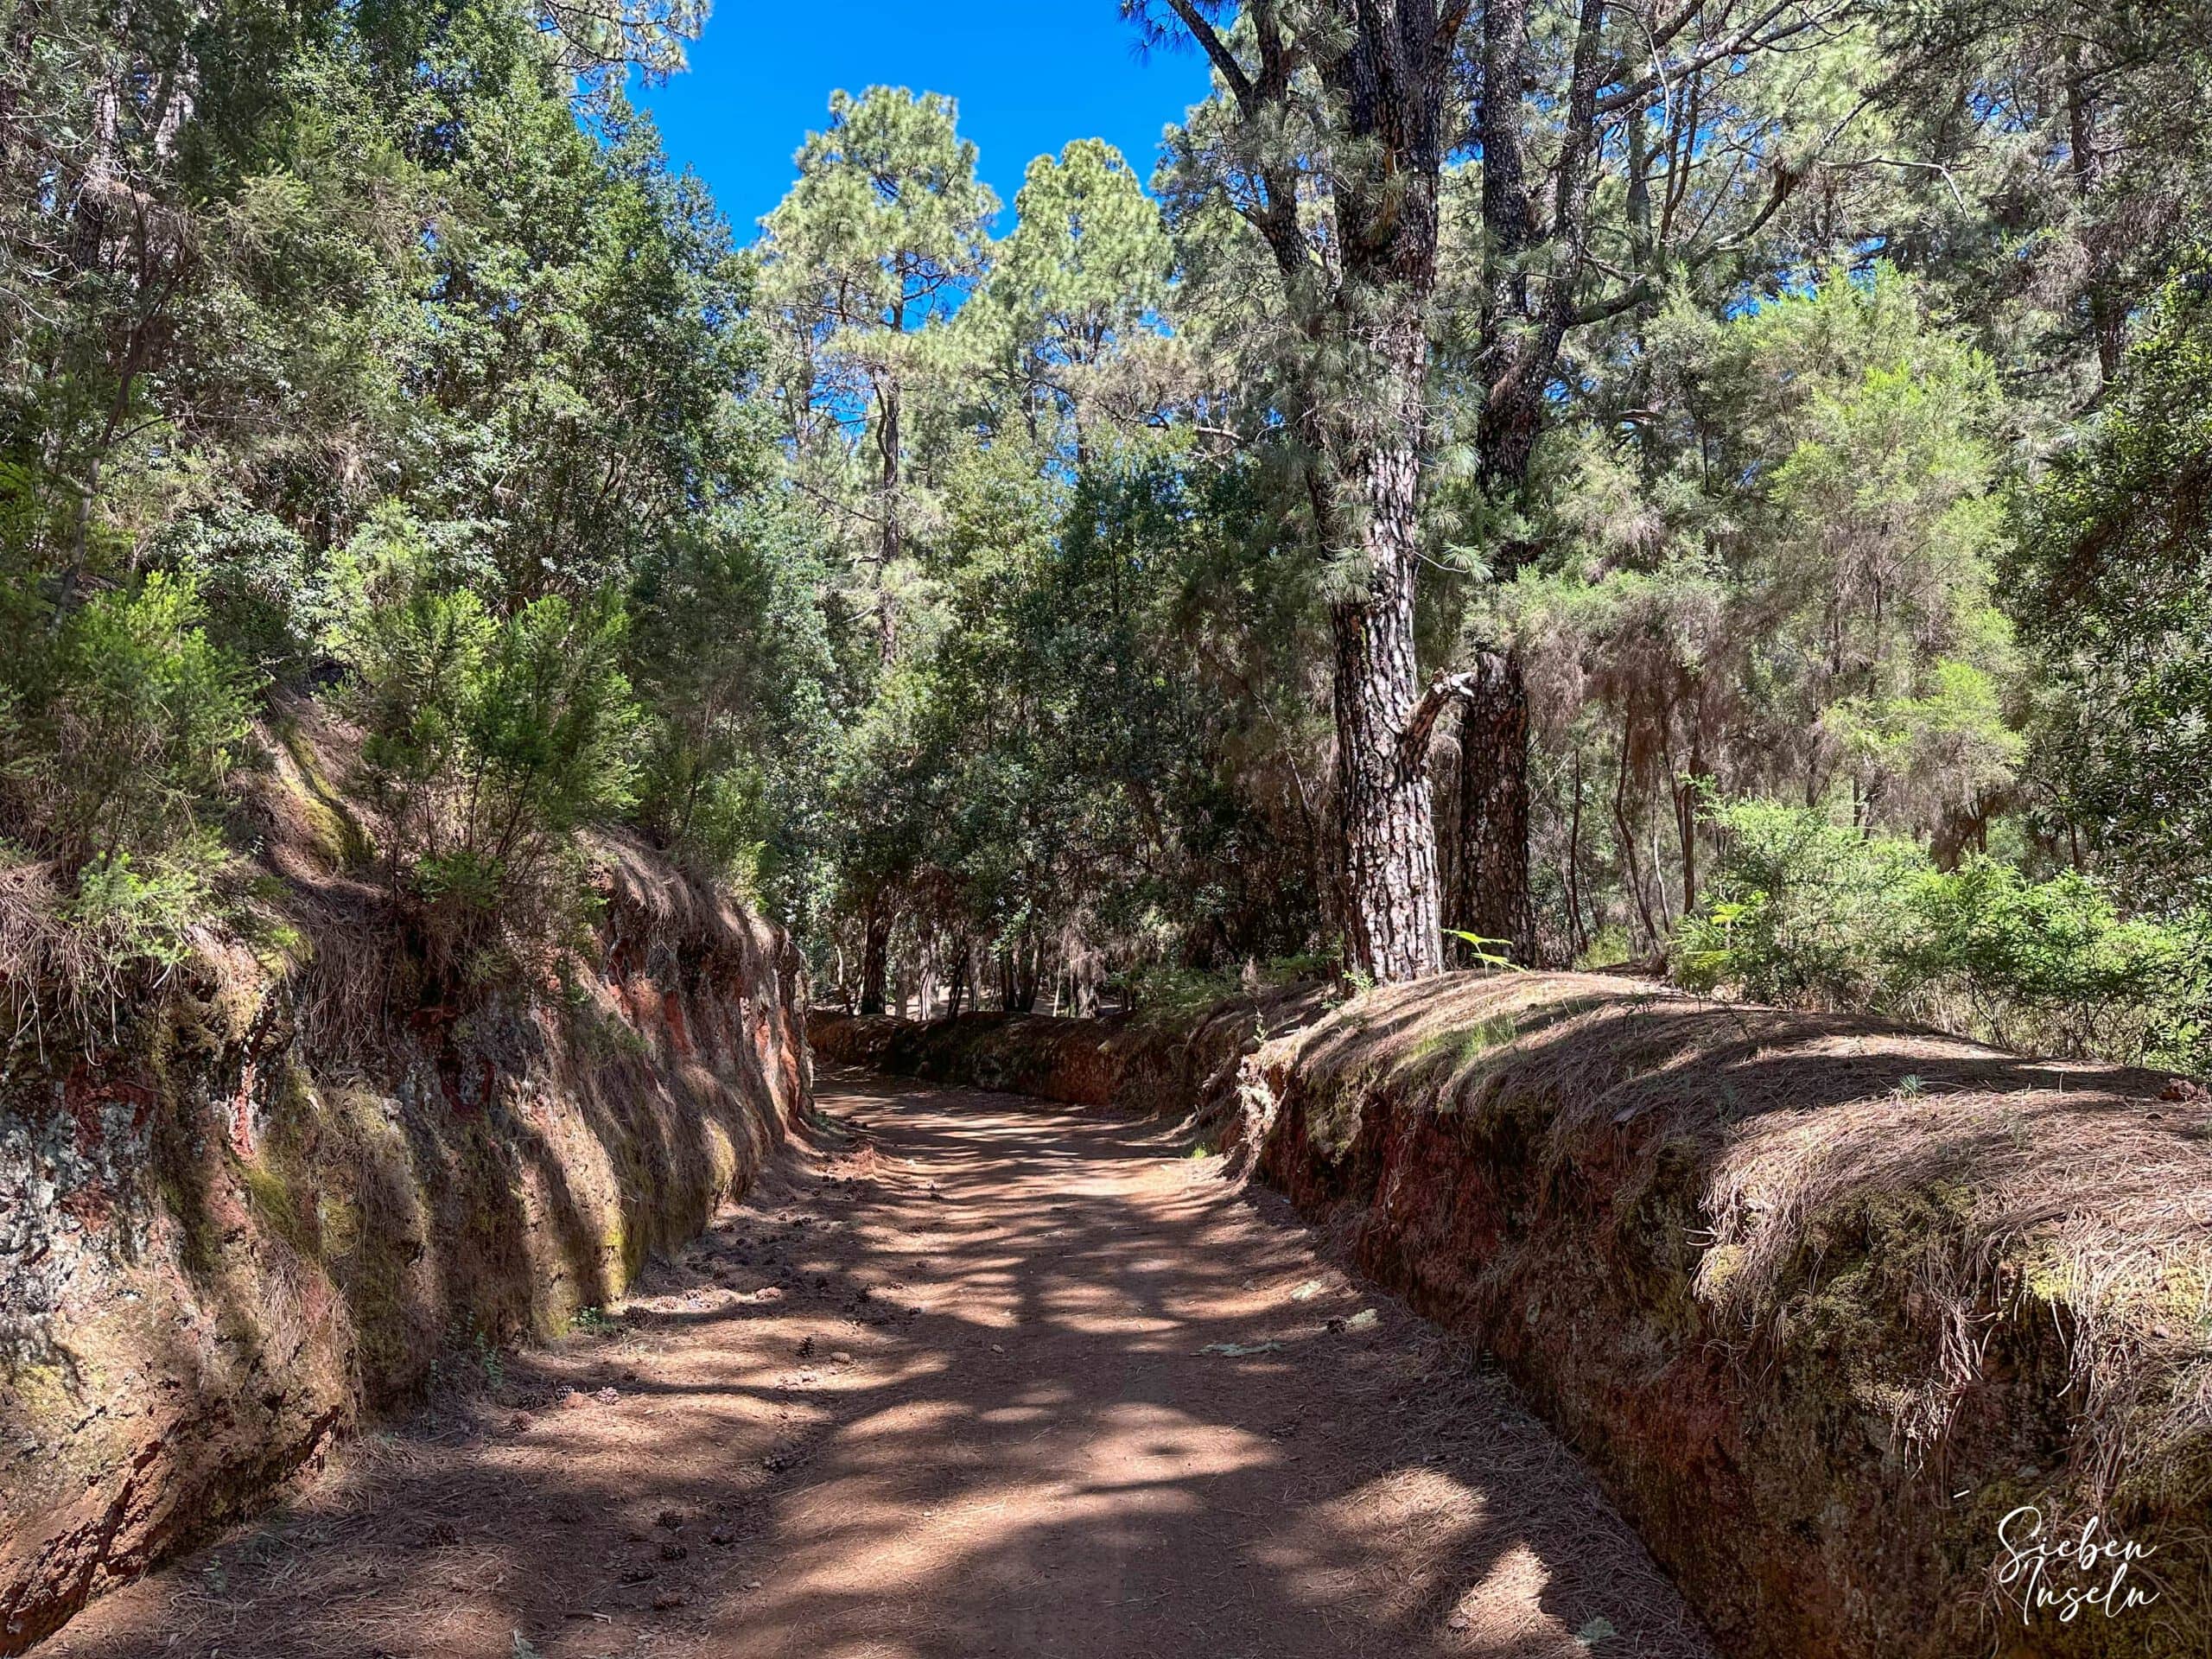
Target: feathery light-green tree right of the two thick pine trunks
pixel 1780 581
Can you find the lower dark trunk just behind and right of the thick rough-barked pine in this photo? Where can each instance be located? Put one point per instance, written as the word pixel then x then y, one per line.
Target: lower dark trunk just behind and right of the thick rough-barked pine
pixel 1492 875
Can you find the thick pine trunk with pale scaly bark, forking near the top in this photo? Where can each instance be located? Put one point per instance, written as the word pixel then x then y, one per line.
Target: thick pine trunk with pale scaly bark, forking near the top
pixel 1388 70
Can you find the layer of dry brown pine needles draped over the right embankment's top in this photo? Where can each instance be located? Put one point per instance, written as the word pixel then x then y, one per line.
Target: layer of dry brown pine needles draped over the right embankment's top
pixel 2074 1185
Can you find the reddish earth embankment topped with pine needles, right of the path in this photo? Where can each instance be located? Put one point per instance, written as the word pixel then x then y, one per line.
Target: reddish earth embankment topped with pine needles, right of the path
pixel 1824 1302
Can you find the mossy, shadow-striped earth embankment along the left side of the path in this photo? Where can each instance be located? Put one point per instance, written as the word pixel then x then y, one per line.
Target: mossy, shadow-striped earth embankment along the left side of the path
pixel 269 1213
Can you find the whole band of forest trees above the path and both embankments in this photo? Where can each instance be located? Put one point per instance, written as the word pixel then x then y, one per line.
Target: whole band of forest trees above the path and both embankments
pixel 1600 481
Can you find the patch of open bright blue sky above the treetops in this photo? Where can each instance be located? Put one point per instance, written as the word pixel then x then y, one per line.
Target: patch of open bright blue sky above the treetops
pixel 1030 76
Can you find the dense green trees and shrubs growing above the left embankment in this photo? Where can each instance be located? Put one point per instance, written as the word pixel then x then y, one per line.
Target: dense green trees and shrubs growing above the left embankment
pixel 410 375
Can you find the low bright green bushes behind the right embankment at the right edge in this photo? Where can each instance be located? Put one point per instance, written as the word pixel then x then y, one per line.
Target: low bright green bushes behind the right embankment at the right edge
pixel 1813 912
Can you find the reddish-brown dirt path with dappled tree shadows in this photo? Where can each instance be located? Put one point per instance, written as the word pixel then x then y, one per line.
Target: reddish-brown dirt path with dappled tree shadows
pixel 990 1379
